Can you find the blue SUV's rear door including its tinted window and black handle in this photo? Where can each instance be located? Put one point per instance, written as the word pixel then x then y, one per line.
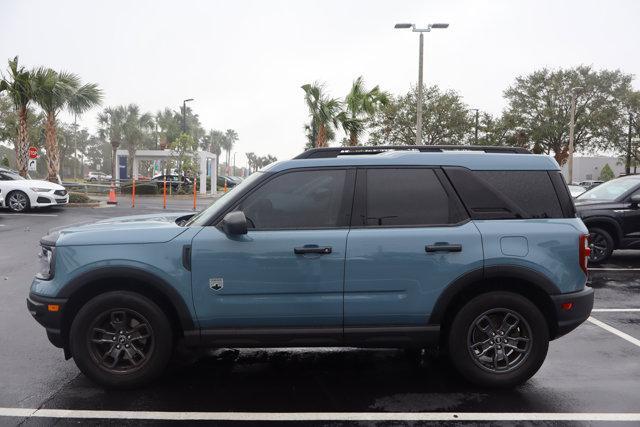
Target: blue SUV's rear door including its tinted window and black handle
pixel 410 238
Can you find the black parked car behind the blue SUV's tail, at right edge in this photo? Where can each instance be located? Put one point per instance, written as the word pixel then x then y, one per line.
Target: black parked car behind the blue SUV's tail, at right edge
pixel 611 213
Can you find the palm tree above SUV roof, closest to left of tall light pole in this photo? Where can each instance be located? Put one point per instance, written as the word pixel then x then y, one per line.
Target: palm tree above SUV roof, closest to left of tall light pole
pixel 360 106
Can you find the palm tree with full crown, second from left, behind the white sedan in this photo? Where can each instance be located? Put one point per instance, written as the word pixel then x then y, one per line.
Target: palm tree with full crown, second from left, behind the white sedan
pixel 56 91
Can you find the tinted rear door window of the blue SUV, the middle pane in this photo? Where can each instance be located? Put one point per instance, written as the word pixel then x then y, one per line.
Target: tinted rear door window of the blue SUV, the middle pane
pixel 407 197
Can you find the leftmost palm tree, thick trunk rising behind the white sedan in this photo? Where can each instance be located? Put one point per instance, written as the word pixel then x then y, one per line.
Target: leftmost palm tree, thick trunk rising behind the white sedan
pixel 19 86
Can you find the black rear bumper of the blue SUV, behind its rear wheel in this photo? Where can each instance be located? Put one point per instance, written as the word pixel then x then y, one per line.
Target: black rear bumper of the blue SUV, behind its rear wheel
pixel 570 318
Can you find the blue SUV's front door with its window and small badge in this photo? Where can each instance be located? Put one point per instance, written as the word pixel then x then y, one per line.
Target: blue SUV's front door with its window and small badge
pixel 283 280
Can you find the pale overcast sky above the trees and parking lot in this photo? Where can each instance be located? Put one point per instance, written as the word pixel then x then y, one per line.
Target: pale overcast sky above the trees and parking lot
pixel 244 61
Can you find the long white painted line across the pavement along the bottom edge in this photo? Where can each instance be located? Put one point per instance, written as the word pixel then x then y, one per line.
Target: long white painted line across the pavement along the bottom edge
pixel 322 416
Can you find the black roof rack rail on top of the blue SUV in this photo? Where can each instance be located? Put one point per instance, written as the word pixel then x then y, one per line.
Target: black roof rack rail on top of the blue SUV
pixel 328 152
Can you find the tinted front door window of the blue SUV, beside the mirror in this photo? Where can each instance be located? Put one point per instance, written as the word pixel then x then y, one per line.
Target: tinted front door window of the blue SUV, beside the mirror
pixel 306 199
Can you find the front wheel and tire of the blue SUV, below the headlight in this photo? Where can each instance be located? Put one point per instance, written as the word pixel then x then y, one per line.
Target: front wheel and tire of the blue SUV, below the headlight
pixel 121 360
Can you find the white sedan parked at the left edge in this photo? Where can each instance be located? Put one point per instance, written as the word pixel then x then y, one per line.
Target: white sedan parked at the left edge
pixel 21 194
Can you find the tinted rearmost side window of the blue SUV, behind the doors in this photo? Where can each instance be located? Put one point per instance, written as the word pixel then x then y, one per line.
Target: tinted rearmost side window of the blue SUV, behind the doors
pixel 531 191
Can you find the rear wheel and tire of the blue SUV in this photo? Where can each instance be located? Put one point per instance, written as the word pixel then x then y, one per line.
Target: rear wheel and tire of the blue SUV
pixel 530 334
